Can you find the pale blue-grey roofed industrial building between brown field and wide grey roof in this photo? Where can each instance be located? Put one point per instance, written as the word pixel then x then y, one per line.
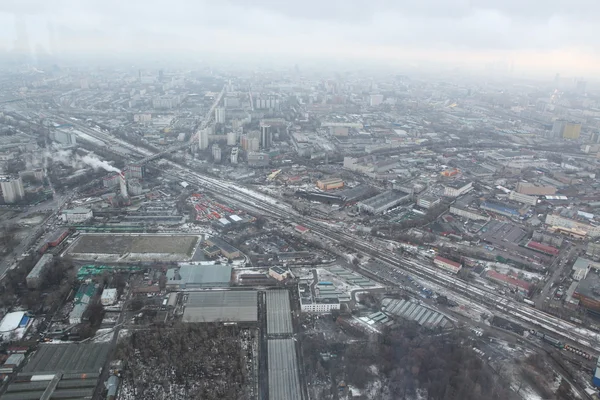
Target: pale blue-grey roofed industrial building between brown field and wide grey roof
pixel 190 276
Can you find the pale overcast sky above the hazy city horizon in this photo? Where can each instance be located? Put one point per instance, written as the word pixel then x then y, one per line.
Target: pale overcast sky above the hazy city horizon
pixel 541 36
